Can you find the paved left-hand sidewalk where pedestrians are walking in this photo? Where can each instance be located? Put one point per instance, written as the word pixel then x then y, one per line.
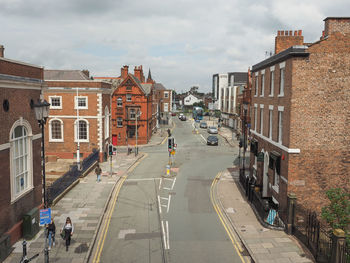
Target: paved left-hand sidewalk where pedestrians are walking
pixel 85 205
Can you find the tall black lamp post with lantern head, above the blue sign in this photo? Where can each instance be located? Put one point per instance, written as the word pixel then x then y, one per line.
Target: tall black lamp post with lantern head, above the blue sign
pixel 42 113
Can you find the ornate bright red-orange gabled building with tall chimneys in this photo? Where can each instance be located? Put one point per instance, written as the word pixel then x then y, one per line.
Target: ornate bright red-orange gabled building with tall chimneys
pixel 133 108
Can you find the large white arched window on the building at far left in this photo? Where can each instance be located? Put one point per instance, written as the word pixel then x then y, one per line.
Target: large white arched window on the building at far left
pixel 21 158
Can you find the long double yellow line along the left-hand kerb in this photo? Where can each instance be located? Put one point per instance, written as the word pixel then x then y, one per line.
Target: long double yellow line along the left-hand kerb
pixel 105 227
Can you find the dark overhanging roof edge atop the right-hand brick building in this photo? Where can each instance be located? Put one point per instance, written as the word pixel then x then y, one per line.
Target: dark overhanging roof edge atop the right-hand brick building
pixel 294 51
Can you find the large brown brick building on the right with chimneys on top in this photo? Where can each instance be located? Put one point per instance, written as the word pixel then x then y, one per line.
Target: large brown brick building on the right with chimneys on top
pixel 300 108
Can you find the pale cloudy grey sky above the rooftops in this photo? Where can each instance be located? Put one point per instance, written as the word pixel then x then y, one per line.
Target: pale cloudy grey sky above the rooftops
pixel 183 42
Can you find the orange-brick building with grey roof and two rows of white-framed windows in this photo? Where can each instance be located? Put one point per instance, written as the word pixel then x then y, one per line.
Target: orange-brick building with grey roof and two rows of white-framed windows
pixel 79 114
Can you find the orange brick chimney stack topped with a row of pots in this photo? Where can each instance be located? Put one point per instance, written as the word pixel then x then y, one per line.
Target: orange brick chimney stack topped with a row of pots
pixel 286 39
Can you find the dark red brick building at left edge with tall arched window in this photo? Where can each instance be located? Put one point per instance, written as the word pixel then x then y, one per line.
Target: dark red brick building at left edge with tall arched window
pixel 20 145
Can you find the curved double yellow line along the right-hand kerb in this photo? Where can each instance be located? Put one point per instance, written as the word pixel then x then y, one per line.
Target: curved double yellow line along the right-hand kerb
pixel 224 222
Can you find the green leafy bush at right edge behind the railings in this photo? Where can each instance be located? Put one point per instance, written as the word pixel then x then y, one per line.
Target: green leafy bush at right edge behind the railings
pixel 337 213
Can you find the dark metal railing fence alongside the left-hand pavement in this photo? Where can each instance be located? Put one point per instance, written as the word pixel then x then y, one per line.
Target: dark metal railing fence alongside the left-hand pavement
pixel 62 183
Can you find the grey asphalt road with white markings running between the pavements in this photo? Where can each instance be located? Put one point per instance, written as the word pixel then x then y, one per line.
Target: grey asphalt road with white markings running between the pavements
pixel 169 219
